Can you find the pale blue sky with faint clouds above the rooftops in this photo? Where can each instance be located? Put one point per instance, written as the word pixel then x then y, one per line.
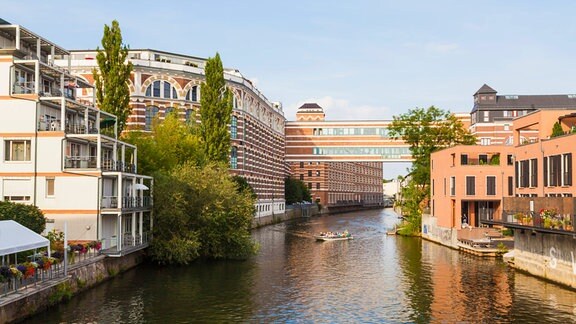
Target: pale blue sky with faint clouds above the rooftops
pixel 362 59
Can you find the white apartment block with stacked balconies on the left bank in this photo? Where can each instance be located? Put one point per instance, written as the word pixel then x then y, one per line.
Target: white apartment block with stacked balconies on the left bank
pixel 61 153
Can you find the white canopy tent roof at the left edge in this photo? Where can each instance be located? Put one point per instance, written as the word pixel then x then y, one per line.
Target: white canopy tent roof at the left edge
pixel 16 238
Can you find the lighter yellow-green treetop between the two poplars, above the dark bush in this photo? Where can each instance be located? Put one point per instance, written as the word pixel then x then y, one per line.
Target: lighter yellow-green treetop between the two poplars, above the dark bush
pixel 171 143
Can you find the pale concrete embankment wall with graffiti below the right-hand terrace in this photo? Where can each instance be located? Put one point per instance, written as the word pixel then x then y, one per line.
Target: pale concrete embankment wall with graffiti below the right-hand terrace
pixel 546 255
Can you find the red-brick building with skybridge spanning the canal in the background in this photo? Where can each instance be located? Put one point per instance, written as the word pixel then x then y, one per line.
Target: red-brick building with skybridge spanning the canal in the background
pixel 341 162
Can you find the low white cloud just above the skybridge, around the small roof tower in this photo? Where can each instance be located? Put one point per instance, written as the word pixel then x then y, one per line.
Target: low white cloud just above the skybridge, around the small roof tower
pixel 342 109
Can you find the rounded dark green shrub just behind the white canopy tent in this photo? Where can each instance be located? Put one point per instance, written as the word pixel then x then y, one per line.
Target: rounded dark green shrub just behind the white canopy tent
pixel 27 215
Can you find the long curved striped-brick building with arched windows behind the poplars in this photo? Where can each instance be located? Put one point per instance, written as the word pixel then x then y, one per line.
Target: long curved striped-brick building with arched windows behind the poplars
pixel 164 82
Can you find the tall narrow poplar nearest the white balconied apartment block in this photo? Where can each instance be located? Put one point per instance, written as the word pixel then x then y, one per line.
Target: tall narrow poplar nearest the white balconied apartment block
pixel 111 80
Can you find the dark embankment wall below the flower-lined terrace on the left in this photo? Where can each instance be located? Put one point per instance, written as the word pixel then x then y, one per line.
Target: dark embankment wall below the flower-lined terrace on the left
pixel 80 277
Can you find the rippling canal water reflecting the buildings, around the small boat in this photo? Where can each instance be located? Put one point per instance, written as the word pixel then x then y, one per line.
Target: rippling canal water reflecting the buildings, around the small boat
pixel 374 278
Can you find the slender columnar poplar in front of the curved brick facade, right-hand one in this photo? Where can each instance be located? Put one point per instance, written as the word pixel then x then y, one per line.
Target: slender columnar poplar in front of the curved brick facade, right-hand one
pixel 215 112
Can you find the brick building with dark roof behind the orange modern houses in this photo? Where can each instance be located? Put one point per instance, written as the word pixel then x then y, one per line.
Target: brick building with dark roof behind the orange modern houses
pixel 492 115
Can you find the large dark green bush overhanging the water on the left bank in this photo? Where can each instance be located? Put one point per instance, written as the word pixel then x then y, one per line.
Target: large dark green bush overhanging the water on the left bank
pixel 200 212
